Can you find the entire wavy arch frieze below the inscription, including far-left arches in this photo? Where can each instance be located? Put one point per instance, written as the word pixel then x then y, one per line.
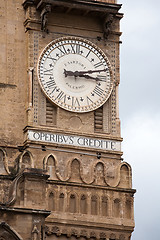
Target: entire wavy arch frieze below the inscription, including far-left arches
pixel 97 172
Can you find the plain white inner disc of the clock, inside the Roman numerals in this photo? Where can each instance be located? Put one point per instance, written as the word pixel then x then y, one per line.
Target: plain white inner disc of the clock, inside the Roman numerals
pixel 73 82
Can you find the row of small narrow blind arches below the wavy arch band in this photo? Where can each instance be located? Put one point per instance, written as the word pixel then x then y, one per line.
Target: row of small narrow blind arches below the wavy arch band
pixel 98 203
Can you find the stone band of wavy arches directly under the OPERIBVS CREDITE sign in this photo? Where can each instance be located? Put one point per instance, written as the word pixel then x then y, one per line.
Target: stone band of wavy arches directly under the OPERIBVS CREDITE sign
pixel 99 172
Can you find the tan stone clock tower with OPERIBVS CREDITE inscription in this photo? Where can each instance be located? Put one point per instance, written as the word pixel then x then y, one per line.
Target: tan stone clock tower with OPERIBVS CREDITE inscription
pixel 62 174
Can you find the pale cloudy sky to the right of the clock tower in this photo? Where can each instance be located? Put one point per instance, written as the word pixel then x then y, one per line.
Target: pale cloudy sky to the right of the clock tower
pixel 140 109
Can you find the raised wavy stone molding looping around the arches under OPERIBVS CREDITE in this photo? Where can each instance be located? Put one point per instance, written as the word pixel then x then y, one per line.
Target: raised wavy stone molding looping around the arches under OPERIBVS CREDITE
pixel 111 174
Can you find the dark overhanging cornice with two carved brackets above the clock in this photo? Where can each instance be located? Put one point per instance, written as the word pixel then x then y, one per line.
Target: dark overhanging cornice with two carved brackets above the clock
pixel 106 11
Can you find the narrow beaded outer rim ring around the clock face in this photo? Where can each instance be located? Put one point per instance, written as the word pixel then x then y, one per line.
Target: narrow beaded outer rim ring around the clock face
pixel 94 46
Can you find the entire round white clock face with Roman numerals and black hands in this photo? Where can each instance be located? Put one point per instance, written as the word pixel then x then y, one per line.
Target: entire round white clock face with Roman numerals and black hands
pixel 75 74
